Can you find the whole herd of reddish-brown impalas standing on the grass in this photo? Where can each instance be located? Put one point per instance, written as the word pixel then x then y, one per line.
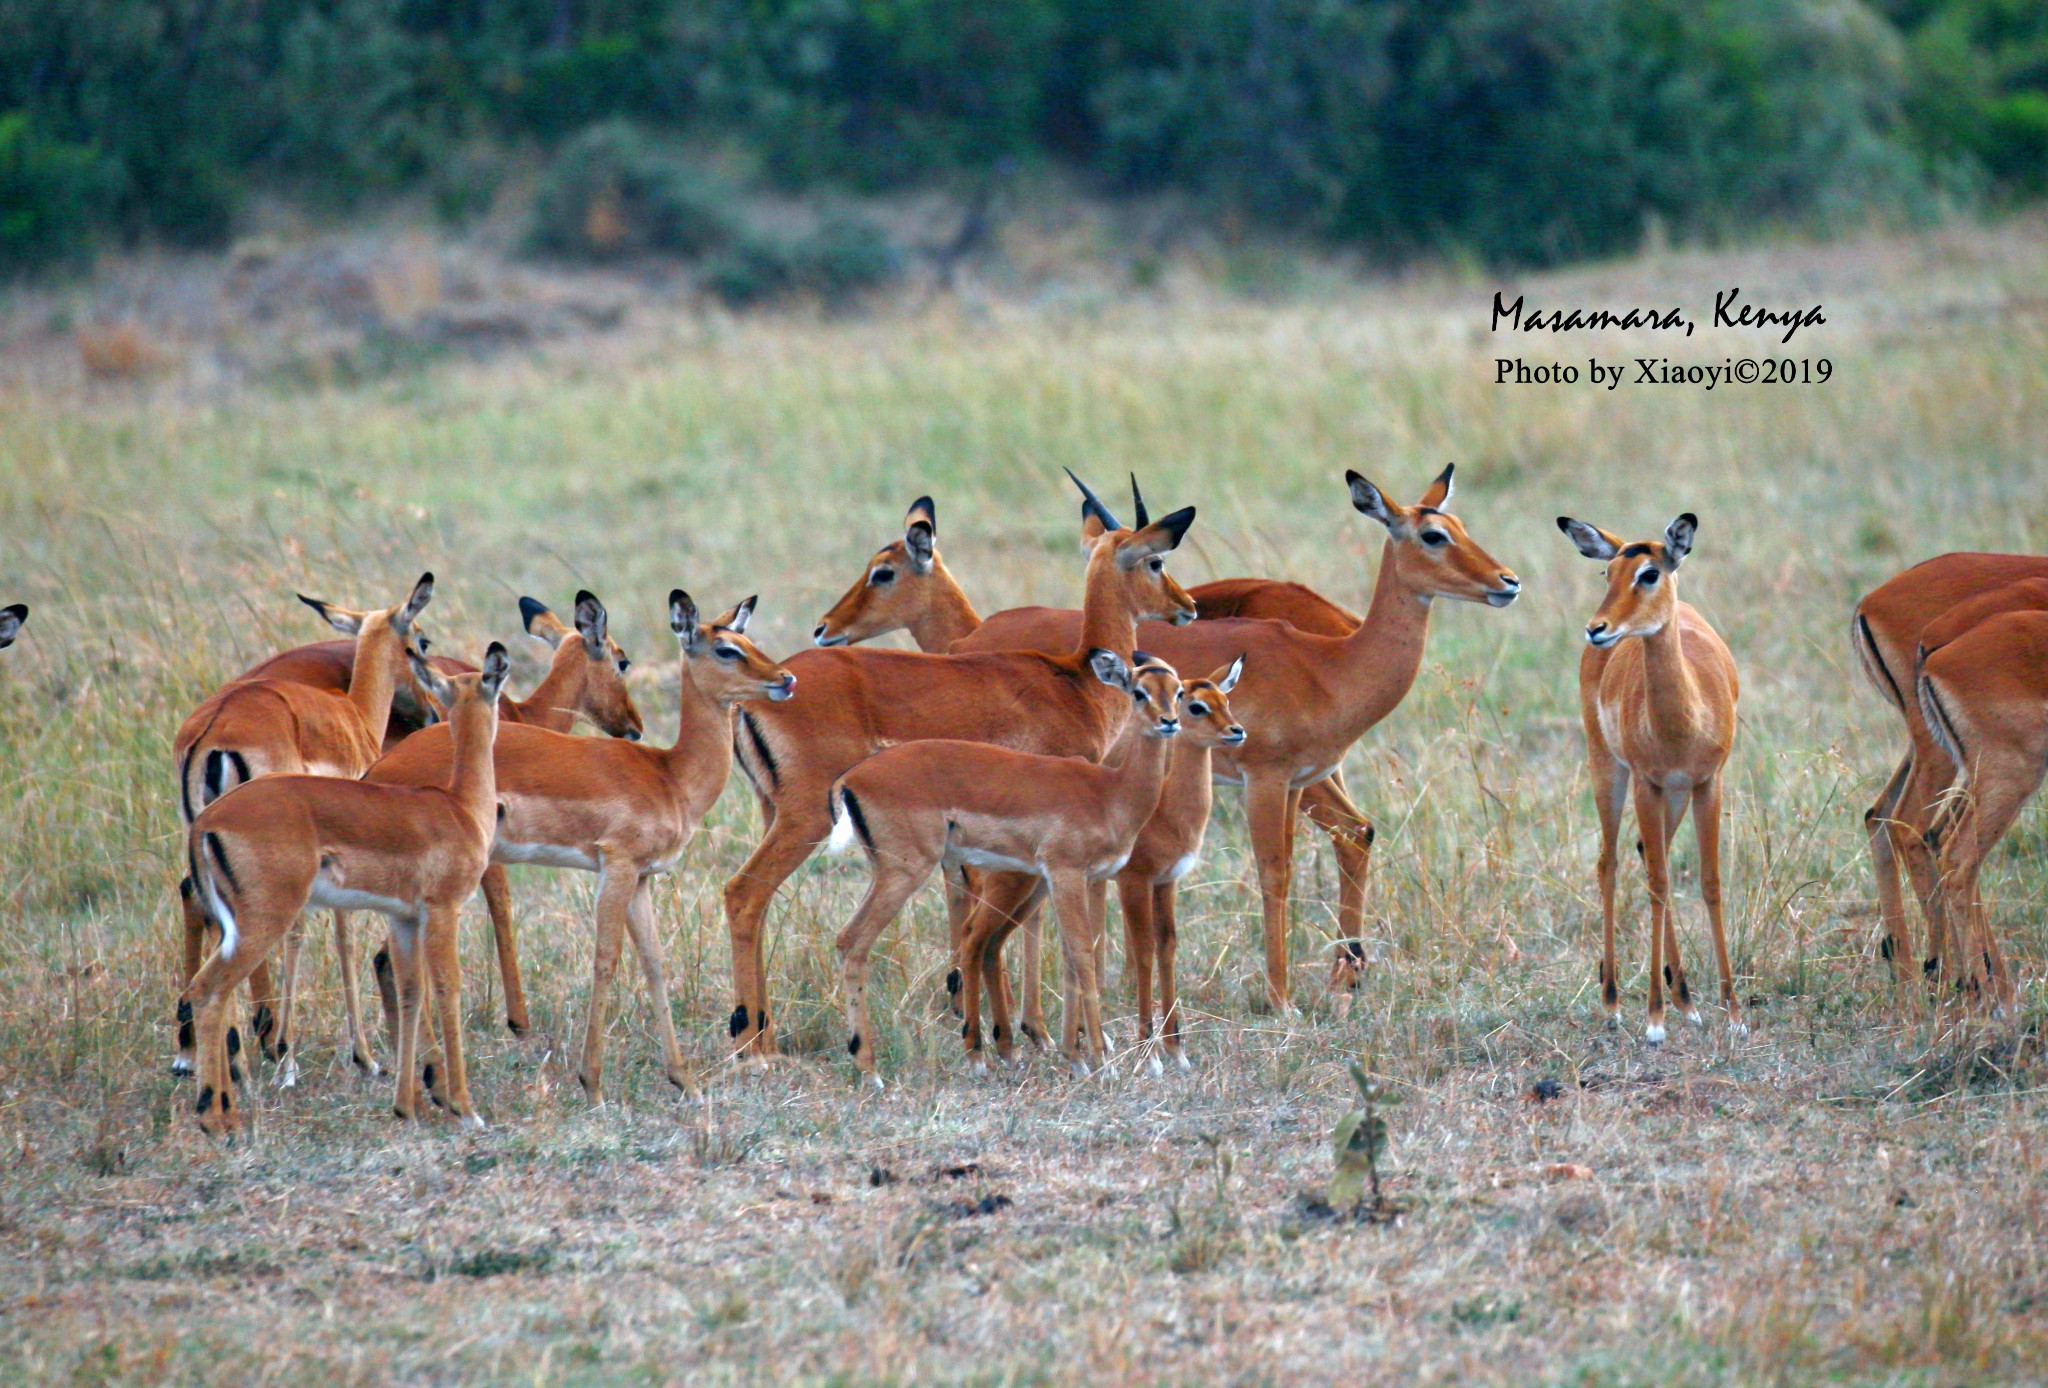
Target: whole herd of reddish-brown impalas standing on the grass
pixel 1037 754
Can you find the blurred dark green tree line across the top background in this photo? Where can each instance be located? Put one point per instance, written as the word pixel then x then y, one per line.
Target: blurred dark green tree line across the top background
pixel 1508 130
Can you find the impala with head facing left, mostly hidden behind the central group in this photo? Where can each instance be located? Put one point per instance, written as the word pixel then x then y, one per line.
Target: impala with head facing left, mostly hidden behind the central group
pixel 906 587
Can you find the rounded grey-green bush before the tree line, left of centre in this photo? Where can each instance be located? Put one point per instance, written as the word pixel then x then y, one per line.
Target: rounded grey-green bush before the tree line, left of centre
pixel 613 191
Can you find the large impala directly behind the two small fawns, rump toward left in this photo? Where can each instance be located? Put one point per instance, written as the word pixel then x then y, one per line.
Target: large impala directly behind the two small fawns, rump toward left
pixel 859 701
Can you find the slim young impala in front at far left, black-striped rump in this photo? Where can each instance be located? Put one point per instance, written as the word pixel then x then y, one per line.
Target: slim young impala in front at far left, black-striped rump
pixel 280 844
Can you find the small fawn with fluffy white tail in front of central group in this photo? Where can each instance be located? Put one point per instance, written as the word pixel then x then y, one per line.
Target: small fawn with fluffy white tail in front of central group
pixel 1064 822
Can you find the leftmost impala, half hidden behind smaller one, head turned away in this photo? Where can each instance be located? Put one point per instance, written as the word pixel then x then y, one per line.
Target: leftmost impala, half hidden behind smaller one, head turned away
pixel 280 728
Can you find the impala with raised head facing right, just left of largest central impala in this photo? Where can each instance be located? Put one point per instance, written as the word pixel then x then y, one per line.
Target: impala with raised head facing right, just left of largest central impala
pixel 620 810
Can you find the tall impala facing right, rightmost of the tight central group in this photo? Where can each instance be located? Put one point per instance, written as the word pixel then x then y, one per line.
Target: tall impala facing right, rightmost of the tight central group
pixel 1312 695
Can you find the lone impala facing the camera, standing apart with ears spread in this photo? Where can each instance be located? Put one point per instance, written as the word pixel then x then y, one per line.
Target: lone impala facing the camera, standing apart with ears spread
pixel 1658 711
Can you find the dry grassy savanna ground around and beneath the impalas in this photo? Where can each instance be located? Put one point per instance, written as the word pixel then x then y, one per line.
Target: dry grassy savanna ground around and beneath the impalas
pixel 1840 1195
